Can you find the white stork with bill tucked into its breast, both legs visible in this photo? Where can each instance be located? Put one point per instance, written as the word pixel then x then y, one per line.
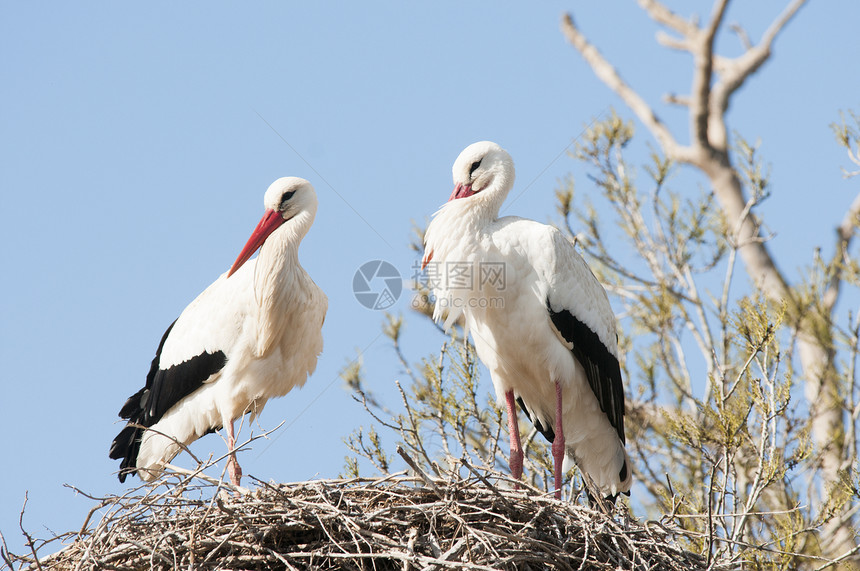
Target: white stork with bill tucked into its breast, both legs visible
pixel 540 320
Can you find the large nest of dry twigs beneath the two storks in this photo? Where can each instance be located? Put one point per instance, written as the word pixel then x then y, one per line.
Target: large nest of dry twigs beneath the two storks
pixel 392 522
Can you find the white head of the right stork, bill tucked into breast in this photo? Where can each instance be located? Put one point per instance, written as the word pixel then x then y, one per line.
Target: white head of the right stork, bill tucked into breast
pixel 483 169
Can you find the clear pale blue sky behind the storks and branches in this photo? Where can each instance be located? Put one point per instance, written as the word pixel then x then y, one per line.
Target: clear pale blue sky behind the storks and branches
pixel 137 143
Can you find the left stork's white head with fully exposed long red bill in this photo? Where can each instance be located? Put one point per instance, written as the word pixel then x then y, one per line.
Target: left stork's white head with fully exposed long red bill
pixel 287 198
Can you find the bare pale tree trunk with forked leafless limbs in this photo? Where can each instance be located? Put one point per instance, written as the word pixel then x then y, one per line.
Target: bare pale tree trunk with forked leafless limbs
pixel 715 80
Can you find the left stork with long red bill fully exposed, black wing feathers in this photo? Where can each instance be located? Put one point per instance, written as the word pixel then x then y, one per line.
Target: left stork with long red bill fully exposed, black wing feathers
pixel 252 335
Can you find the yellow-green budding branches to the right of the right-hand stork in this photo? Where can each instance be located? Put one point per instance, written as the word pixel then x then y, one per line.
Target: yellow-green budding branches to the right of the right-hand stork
pixel 713 409
